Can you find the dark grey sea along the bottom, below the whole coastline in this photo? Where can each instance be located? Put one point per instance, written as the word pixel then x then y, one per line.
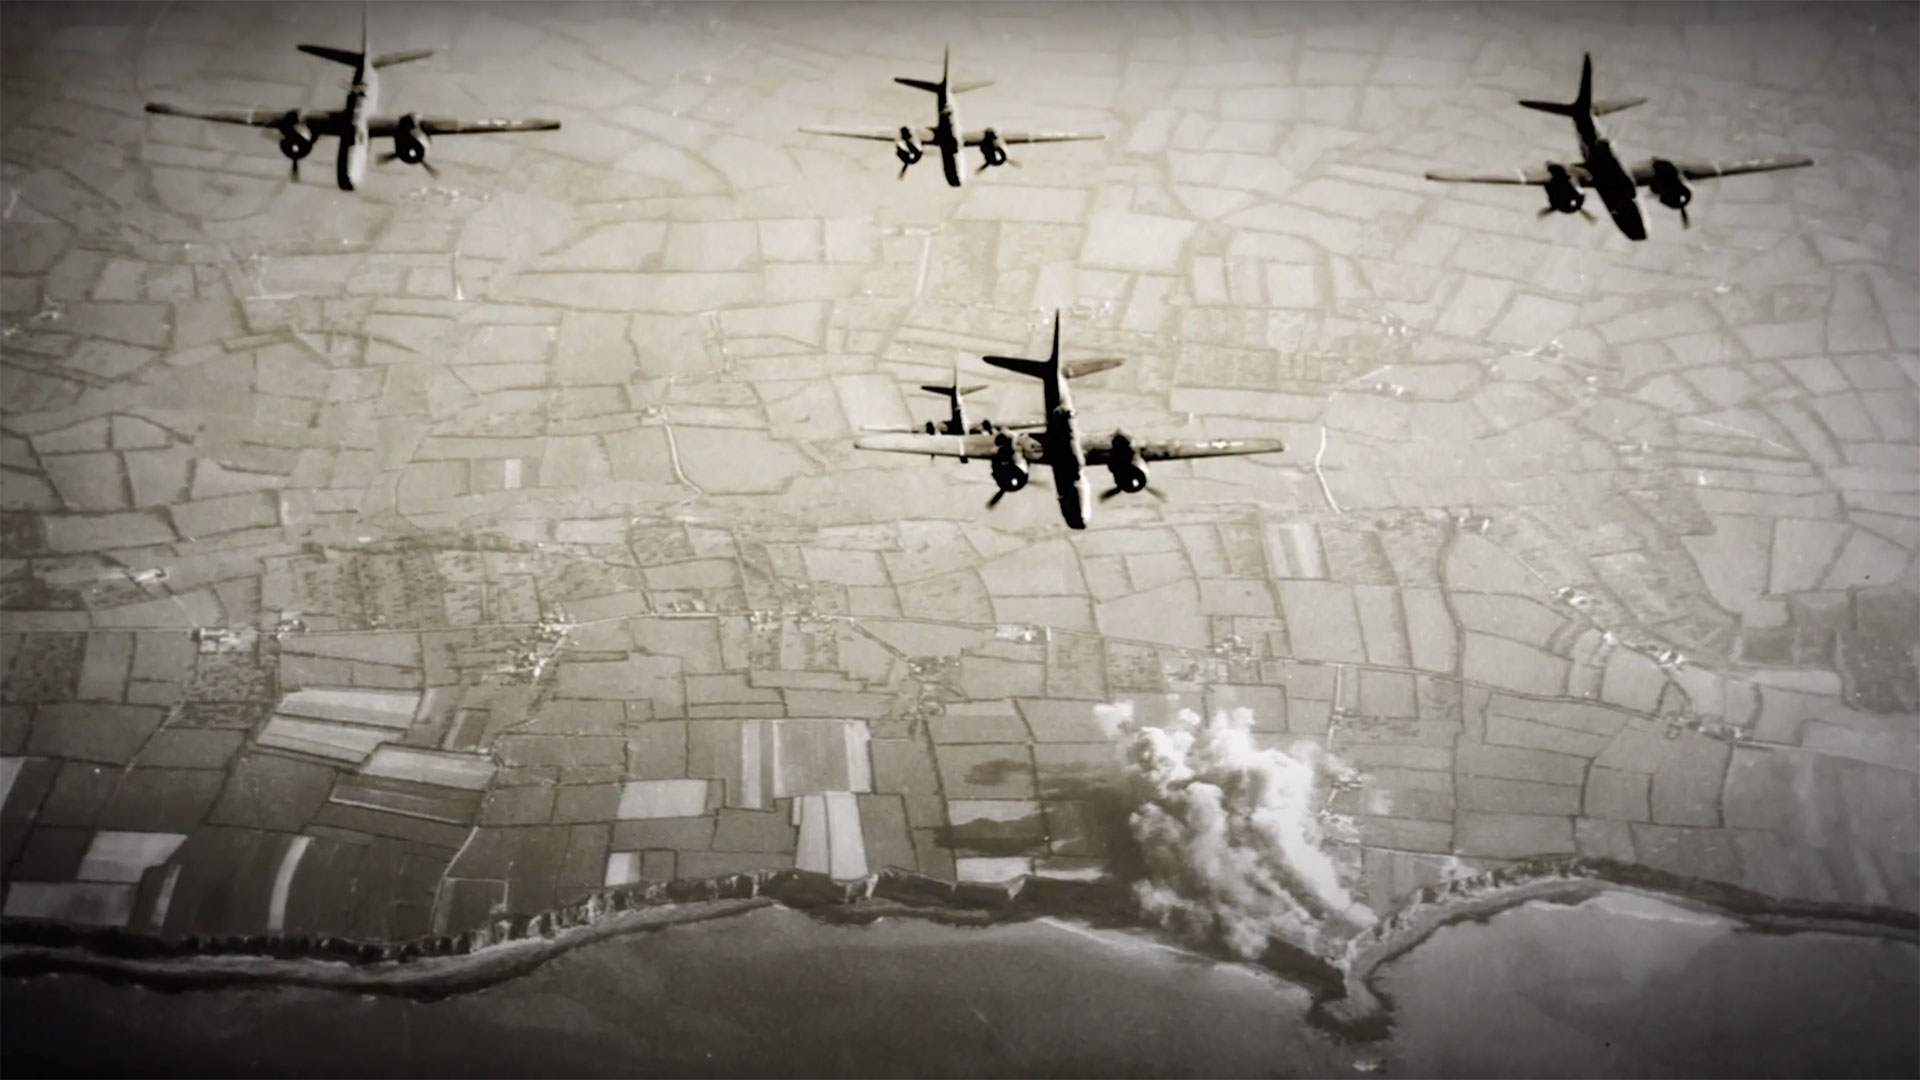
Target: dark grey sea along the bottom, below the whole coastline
pixel 1618 987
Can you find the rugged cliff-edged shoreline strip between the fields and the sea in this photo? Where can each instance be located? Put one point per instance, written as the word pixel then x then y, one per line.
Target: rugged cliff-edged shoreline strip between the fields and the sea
pixel 429 970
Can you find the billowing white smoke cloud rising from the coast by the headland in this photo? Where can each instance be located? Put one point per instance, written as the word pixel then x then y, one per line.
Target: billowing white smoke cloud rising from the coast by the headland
pixel 1230 837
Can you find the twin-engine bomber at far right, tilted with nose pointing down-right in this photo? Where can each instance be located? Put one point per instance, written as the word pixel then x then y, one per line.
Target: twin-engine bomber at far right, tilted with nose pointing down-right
pixel 1598 168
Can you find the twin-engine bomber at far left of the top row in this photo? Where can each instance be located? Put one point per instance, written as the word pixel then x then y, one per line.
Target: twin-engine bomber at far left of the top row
pixel 358 124
